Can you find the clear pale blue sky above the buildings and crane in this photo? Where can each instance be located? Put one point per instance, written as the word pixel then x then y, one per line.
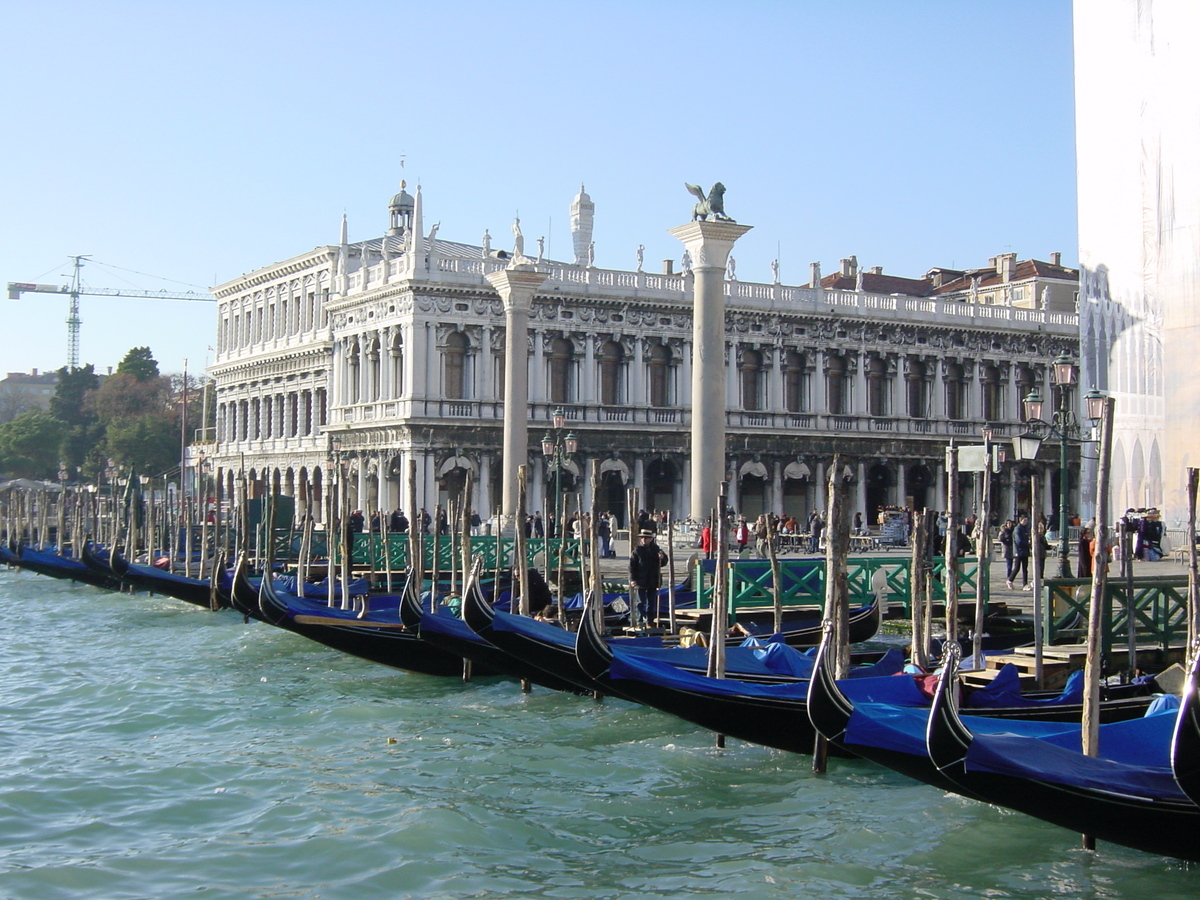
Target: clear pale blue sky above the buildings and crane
pixel 183 145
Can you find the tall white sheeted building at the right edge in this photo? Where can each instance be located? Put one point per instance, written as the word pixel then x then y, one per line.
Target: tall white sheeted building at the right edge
pixel 1137 133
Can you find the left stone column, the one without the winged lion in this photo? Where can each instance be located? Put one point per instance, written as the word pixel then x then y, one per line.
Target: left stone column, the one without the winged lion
pixel 517 286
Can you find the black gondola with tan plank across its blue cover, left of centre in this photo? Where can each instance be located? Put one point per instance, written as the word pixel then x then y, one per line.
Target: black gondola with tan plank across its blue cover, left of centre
pixel 379 637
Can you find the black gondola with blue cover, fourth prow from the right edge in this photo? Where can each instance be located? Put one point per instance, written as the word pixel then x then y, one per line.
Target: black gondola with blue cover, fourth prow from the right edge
pixel 769 715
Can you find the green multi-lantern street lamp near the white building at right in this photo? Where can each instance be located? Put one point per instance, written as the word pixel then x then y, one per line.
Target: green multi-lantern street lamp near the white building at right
pixel 1067 429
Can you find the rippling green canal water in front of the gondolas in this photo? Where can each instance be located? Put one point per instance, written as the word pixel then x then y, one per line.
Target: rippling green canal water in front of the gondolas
pixel 158 751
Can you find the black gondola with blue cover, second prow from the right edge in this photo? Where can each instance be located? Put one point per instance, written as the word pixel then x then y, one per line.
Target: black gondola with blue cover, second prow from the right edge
pixel 1127 796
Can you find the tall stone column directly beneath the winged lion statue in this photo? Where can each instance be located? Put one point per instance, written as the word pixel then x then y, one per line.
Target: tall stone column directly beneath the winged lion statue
pixel 709 244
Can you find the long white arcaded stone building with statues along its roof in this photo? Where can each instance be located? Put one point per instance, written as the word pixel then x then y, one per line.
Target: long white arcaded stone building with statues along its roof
pixel 373 355
